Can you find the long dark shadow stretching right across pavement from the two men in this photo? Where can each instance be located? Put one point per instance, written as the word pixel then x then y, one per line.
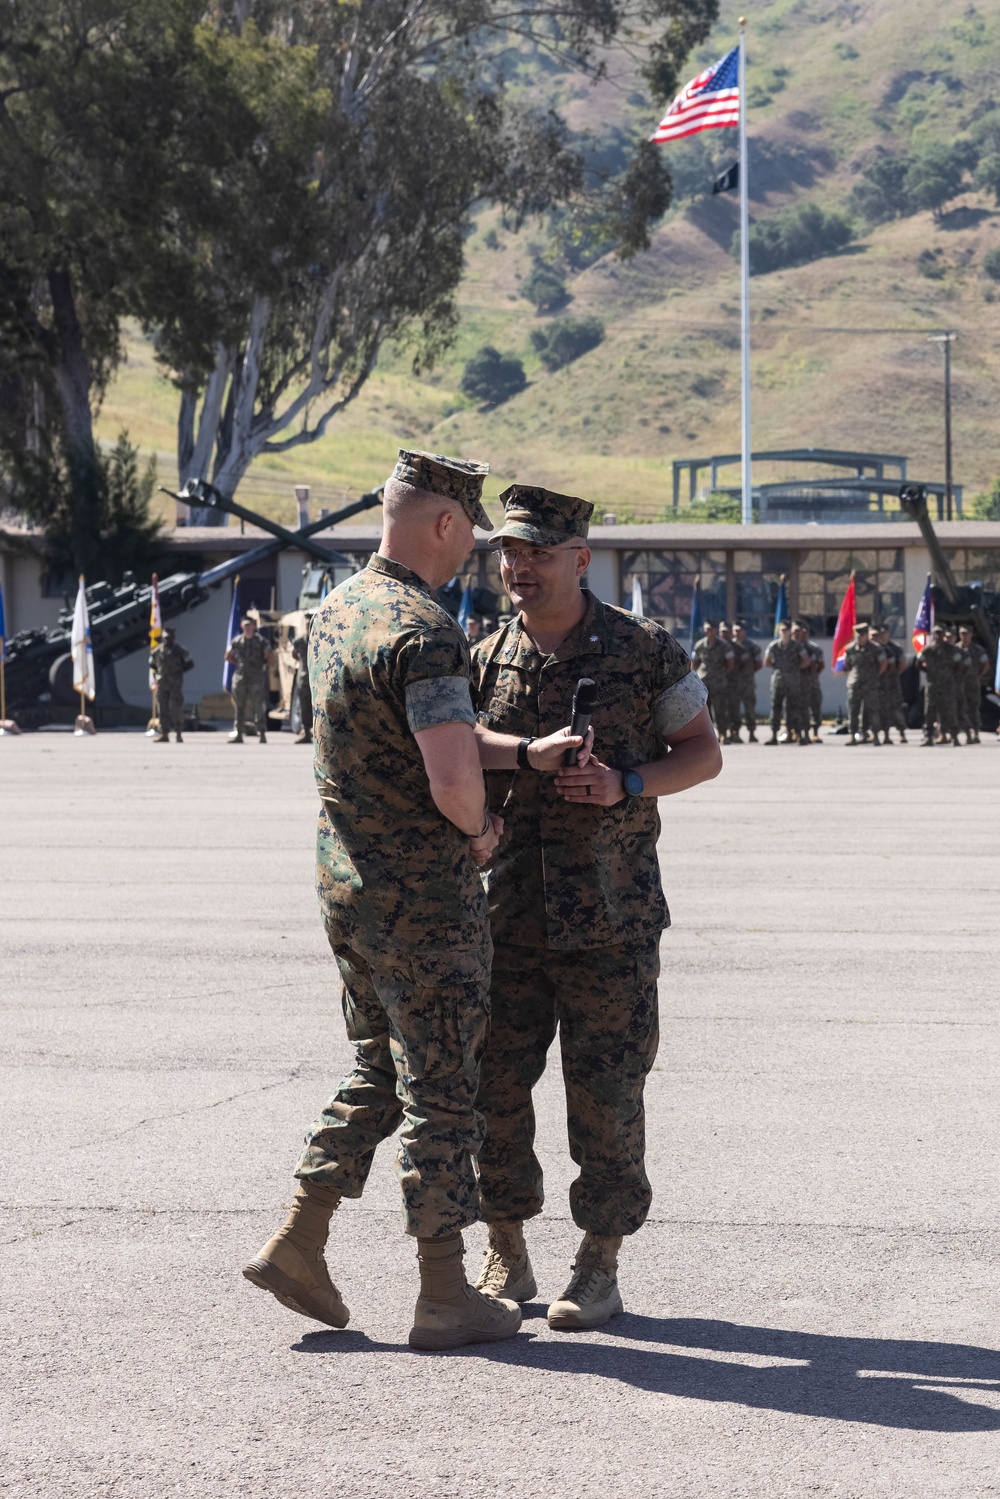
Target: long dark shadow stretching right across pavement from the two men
pixel 878 1381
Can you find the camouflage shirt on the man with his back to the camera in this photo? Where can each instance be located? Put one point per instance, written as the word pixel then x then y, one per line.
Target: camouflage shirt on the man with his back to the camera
pixel 386 660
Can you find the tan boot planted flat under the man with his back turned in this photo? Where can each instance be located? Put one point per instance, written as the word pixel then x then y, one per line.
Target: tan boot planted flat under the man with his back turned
pixel 449 1311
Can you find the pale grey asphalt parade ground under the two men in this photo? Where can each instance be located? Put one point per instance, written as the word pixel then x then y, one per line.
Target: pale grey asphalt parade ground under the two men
pixel 813 1308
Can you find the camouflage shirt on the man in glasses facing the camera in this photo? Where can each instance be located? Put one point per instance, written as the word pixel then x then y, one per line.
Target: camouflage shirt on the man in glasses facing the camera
pixel 566 875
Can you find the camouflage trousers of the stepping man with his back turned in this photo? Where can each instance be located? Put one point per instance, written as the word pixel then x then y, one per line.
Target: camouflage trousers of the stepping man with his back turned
pixel 419 1025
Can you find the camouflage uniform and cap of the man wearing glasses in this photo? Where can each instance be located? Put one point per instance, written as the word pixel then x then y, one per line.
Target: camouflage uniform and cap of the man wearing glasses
pixel 578 911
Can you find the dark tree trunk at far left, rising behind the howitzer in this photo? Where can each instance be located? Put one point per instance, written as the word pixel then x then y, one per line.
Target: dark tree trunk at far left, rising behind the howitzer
pixel 73 383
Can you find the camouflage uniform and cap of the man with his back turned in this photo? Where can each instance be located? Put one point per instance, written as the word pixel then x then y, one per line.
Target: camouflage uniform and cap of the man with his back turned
pixel 401 897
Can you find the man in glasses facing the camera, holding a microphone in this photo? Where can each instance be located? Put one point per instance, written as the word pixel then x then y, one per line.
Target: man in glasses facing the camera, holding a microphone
pixel 575 893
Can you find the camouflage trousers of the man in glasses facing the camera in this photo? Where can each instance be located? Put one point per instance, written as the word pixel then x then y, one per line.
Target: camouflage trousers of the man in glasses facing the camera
pixel 605 1007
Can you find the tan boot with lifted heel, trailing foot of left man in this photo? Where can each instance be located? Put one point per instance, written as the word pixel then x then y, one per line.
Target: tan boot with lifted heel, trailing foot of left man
pixel 292 1264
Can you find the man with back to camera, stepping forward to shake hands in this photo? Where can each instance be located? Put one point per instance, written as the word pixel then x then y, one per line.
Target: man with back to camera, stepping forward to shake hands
pixel 403 833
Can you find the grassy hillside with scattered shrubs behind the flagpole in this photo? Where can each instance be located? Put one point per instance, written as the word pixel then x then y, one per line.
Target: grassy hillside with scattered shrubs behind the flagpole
pixel 830 85
